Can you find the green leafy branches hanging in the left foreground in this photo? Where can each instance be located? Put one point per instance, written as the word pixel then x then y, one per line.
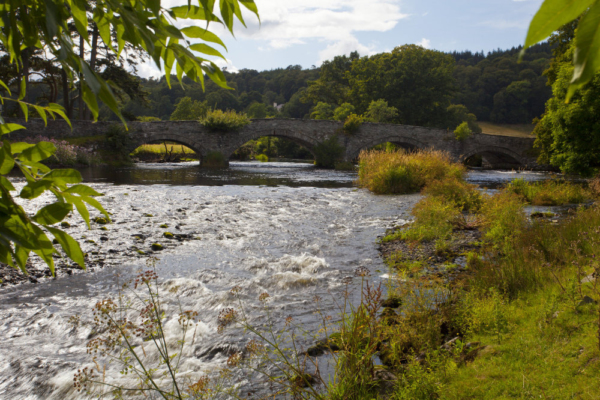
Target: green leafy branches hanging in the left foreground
pixel 48 25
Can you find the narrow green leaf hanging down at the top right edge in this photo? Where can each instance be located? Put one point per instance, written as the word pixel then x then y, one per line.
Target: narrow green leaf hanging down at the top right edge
pixel 587 49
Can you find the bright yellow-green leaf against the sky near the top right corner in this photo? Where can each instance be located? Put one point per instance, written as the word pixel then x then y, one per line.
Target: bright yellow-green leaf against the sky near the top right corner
pixel 552 15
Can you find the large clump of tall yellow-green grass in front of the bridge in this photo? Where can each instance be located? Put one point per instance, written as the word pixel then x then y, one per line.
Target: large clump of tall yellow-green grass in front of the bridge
pixel 401 172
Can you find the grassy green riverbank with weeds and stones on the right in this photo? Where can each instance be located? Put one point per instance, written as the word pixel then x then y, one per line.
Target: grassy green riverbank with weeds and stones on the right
pixel 509 312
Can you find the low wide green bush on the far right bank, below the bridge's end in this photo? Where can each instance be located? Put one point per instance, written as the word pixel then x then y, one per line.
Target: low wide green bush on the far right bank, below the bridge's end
pixel 549 193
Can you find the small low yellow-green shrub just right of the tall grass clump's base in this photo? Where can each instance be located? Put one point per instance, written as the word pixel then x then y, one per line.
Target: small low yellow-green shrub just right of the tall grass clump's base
pixel 465 196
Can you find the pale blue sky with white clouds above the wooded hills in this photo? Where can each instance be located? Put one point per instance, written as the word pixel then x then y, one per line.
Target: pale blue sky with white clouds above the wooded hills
pixel 308 32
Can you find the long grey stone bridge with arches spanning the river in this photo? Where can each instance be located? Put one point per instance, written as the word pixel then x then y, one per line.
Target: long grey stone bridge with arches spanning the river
pixel 496 151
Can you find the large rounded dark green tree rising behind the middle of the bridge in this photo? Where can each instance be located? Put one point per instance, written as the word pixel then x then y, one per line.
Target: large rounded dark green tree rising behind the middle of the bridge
pixel 416 81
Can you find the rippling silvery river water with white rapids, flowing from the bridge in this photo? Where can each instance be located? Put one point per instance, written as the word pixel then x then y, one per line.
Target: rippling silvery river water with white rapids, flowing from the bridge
pixel 287 229
